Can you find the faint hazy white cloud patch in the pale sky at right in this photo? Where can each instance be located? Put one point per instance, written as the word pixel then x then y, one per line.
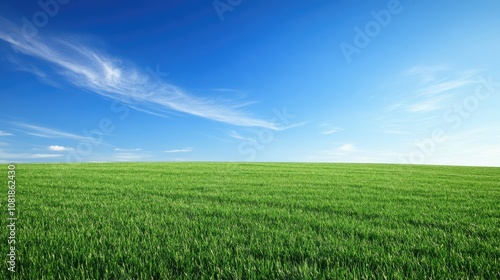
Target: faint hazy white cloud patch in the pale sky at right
pixel 418 100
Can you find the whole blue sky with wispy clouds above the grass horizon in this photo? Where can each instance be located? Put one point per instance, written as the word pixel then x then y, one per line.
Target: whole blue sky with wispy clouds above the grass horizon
pixel 237 80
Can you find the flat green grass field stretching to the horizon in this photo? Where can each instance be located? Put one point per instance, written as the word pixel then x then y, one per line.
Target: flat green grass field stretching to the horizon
pixel 254 221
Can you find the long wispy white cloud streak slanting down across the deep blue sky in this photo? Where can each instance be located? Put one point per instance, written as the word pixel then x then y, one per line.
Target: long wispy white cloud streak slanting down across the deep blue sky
pixel 112 78
